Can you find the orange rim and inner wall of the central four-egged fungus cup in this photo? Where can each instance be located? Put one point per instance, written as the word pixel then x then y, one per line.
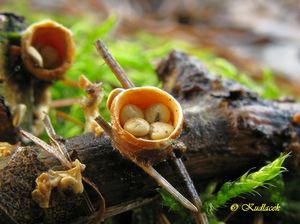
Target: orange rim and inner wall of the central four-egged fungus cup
pixel 143 97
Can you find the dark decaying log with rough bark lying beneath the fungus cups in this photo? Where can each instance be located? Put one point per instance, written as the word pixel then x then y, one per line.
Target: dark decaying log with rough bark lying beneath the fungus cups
pixel 228 129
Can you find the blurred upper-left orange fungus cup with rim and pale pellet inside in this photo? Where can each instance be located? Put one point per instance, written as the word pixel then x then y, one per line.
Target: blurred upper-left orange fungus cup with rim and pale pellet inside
pixel 48 50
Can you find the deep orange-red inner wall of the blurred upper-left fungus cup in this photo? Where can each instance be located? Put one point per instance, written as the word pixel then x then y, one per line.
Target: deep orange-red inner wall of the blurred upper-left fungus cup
pixel 53 37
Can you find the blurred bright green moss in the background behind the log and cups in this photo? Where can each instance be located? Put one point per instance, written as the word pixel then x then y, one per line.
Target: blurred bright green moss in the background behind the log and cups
pixel 137 52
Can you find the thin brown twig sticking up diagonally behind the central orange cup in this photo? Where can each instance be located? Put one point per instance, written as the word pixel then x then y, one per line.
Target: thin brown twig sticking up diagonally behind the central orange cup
pixel 114 65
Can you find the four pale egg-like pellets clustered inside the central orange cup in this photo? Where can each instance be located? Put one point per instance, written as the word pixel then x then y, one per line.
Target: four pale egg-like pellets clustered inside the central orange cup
pixel 154 123
